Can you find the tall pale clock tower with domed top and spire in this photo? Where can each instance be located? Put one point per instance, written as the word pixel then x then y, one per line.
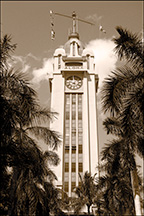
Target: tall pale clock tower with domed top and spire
pixel 73 88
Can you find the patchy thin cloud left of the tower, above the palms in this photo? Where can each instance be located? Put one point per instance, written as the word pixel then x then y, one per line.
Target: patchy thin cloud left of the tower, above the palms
pixel 37 70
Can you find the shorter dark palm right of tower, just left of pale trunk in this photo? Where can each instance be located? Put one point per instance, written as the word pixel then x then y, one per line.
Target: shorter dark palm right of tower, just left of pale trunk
pixel 115 186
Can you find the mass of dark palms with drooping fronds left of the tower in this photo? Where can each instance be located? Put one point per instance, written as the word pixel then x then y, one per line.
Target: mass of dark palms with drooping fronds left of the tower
pixel 21 130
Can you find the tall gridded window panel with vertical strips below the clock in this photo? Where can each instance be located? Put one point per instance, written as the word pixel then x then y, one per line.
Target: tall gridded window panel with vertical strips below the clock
pixel 73 134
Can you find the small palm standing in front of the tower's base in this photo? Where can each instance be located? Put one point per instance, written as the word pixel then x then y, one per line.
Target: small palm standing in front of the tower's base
pixel 85 193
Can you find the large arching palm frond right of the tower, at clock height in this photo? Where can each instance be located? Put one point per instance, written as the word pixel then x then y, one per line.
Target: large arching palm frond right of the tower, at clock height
pixel 116 85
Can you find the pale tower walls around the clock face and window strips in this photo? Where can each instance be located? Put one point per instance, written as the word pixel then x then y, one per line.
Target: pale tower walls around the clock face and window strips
pixel 83 67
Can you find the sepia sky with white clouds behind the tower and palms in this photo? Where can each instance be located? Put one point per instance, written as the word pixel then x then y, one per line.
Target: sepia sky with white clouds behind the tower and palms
pixel 28 22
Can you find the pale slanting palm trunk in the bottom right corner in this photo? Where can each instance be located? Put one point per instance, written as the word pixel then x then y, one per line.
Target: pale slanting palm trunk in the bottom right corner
pixel 136 193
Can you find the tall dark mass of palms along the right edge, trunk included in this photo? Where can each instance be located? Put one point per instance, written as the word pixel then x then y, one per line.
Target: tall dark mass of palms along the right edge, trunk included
pixel 123 97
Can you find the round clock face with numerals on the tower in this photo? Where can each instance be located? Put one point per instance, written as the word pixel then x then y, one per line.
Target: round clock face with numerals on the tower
pixel 73 82
